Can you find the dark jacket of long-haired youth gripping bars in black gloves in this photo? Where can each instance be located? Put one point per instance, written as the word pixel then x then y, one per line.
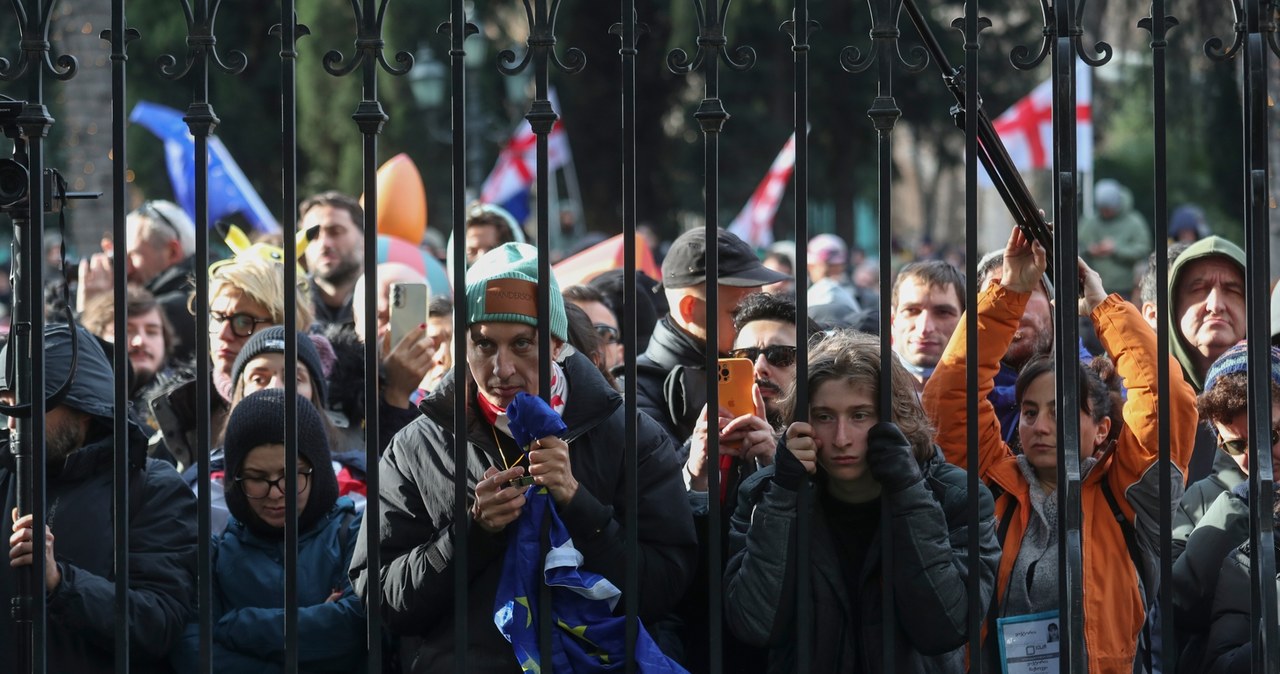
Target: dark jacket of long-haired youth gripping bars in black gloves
pixel 931 552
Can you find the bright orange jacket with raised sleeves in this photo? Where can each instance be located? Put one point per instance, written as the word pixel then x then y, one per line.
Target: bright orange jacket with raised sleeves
pixel 1114 608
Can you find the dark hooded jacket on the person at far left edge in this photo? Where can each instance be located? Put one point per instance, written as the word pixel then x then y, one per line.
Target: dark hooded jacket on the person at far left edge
pixel 81 516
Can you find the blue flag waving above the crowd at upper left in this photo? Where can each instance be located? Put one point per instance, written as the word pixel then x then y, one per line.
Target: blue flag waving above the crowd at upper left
pixel 230 191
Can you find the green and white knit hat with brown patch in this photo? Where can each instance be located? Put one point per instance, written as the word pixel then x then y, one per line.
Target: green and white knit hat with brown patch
pixel 502 287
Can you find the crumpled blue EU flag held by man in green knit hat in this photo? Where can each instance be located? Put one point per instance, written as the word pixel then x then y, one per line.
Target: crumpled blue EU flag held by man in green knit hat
pixel 587 636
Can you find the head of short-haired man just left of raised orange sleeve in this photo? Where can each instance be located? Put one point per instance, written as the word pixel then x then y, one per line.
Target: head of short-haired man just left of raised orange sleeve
pixel 927 304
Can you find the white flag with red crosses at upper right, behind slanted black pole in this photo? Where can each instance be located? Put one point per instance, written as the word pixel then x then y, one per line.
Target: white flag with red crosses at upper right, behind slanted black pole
pixel 1027 127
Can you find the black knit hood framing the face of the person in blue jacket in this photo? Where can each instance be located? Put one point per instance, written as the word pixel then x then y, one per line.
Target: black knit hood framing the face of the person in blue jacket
pixel 259 420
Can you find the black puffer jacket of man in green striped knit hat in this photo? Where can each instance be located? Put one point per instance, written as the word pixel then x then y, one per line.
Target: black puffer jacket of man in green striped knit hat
pixel 417 530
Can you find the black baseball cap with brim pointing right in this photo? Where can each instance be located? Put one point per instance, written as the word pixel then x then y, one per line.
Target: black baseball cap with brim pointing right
pixel 739 267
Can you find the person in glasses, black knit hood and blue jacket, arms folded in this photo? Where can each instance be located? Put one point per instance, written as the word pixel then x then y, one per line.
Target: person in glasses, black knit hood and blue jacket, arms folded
pixel 249 571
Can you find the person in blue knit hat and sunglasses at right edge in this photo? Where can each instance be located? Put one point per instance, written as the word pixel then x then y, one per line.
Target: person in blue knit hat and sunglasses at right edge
pixel 1220 506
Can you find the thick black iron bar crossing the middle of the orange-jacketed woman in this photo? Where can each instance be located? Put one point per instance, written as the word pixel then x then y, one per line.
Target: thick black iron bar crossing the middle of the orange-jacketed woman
pixel 1067 337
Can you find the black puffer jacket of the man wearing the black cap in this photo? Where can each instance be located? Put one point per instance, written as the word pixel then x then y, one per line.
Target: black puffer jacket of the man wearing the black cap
pixel 671 380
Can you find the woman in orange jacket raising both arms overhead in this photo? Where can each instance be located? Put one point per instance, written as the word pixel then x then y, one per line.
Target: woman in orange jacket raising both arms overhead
pixel 1027 586
